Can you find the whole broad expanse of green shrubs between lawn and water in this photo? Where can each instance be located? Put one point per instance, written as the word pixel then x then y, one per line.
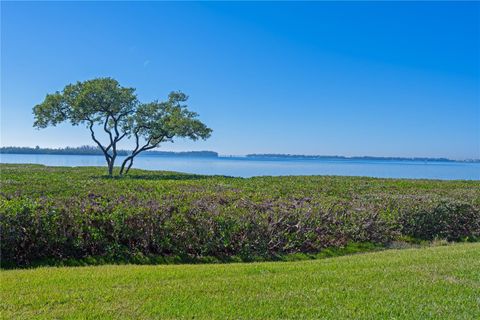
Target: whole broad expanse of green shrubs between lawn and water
pixel 71 215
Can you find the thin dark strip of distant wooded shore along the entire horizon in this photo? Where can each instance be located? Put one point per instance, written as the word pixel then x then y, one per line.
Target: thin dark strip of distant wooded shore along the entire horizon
pixel 92 150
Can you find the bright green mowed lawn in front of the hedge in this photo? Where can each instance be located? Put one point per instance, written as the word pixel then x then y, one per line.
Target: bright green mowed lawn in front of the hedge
pixel 427 283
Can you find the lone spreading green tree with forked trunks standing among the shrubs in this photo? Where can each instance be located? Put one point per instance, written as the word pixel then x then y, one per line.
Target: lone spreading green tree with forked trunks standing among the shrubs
pixel 104 104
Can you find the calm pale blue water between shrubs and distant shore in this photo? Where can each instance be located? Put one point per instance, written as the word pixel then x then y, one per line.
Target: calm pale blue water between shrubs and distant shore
pixel 244 167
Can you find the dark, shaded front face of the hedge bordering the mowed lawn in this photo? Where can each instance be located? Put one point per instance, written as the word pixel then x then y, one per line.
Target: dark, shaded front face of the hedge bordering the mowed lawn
pixel 122 228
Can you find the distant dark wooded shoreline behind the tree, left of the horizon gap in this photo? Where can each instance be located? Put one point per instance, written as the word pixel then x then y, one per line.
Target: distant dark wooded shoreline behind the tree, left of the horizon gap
pixel 91 150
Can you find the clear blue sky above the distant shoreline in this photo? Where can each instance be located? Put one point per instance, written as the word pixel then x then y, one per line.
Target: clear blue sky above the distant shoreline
pixel 379 79
